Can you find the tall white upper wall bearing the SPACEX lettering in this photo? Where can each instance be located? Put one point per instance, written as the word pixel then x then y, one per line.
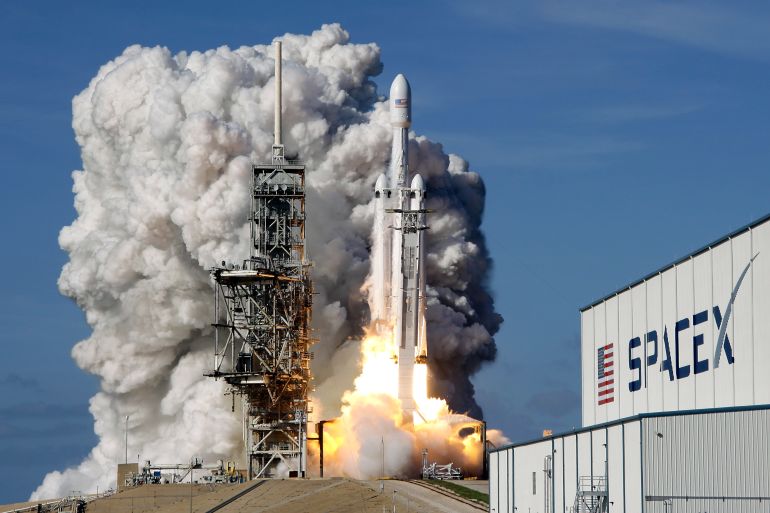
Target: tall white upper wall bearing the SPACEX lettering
pixel 665 331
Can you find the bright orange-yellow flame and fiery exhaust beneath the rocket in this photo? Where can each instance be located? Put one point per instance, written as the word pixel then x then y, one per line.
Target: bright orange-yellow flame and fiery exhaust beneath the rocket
pixel 372 439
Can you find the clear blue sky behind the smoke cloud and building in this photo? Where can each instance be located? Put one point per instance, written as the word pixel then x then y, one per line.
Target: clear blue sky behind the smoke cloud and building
pixel 613 137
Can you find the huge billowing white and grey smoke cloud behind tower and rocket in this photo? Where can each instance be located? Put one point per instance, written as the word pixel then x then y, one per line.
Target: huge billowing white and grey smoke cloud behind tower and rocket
pixel 167 142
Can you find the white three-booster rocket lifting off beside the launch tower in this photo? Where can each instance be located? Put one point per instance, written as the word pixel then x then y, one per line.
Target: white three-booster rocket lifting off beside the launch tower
pixel 398 302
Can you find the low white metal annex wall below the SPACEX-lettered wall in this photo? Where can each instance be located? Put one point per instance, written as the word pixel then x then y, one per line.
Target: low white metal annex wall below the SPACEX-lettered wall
pixel 679 459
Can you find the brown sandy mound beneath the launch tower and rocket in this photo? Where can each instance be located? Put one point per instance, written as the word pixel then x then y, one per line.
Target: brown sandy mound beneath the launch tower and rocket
pixel 334 495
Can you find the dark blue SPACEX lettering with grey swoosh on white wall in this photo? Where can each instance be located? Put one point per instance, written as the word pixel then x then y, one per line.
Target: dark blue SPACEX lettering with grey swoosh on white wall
pixel 669 351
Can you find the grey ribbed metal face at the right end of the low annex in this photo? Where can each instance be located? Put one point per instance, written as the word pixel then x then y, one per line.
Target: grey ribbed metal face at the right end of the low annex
pixel 721 455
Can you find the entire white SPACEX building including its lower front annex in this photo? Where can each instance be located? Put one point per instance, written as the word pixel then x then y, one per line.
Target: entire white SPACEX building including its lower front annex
pixel 675 396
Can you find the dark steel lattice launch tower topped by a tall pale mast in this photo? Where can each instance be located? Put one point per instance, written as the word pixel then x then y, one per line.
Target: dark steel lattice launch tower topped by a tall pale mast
pixel 262 317
